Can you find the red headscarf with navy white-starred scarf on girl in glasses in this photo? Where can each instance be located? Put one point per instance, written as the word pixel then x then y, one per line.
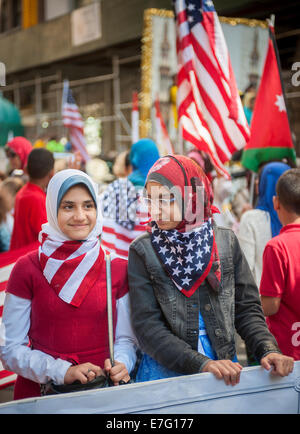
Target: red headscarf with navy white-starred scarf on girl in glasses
pixel 188 256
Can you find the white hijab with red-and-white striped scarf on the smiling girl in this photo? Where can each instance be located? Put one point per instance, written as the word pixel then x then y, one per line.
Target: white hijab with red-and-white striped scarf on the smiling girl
pixel 70 267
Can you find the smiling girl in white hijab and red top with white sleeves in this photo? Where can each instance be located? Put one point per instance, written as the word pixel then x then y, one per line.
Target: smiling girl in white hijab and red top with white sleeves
pixel 55 317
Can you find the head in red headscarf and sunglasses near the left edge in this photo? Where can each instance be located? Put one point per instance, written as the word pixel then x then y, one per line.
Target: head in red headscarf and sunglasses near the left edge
pixel 17 151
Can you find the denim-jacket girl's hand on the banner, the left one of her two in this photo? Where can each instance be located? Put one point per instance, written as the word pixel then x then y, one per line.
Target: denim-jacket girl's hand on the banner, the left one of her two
pixel 225 369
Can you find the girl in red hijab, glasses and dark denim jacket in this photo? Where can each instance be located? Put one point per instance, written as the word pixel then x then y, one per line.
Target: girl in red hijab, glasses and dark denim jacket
pixel 191 286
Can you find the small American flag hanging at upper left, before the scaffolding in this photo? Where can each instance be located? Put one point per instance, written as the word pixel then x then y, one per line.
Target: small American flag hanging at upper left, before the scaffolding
pixel 72 120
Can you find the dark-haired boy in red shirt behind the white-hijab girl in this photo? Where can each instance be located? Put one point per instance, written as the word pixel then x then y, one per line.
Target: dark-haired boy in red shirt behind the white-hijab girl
pixel 30 205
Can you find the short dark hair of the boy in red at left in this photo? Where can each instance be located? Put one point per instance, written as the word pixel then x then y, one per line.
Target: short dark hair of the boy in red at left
pixel 40 163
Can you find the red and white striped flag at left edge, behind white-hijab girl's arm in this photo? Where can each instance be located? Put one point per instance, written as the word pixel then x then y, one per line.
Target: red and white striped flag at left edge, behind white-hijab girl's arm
pixel 7 262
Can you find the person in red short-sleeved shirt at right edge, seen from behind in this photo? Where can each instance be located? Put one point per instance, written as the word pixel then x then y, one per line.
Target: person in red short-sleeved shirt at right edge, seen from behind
pixel 280 282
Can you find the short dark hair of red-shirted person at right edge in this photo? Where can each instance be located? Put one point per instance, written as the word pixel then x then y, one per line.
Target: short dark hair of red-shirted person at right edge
pixel 288 190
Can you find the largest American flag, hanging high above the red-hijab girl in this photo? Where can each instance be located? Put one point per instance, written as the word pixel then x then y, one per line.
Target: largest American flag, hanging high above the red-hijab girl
pixel 209 107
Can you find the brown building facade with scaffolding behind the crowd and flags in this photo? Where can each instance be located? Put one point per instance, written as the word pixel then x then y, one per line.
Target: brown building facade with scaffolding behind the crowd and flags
pixel 96 45
